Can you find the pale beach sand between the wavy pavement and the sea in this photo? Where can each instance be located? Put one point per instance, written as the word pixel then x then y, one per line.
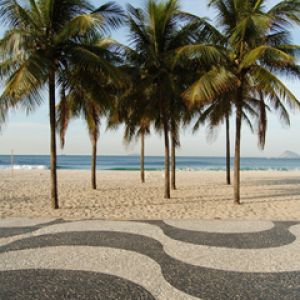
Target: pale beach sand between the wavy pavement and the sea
pixel 266 195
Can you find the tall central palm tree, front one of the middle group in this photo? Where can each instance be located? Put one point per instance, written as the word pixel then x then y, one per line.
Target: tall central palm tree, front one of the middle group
pixel 156 33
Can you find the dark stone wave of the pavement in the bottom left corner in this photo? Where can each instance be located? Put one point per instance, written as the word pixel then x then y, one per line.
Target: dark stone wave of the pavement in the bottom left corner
pixel 51 284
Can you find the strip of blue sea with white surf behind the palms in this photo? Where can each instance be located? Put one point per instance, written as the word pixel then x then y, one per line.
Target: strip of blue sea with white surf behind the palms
pixel 75 162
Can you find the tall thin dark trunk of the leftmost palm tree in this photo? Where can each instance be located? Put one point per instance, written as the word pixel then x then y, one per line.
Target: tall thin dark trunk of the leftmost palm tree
pixel 54 193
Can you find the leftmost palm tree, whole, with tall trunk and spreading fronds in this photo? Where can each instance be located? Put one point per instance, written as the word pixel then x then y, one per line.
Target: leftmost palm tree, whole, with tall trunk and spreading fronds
pixel 44 38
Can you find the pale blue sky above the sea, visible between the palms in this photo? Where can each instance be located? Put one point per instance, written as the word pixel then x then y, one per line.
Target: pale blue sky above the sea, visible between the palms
pixel 30 134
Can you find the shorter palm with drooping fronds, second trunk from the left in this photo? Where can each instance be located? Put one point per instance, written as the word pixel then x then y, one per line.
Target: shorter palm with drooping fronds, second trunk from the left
pixel 90 95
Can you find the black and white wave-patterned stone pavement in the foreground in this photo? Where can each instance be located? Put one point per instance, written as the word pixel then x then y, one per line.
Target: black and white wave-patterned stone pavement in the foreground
pixel 169 260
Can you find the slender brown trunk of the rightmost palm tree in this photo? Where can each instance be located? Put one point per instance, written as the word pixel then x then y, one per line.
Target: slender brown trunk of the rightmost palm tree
pixel 237 155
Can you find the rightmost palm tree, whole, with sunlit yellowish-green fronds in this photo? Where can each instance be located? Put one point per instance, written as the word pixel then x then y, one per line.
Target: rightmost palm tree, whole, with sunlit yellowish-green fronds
pixel 258 49
